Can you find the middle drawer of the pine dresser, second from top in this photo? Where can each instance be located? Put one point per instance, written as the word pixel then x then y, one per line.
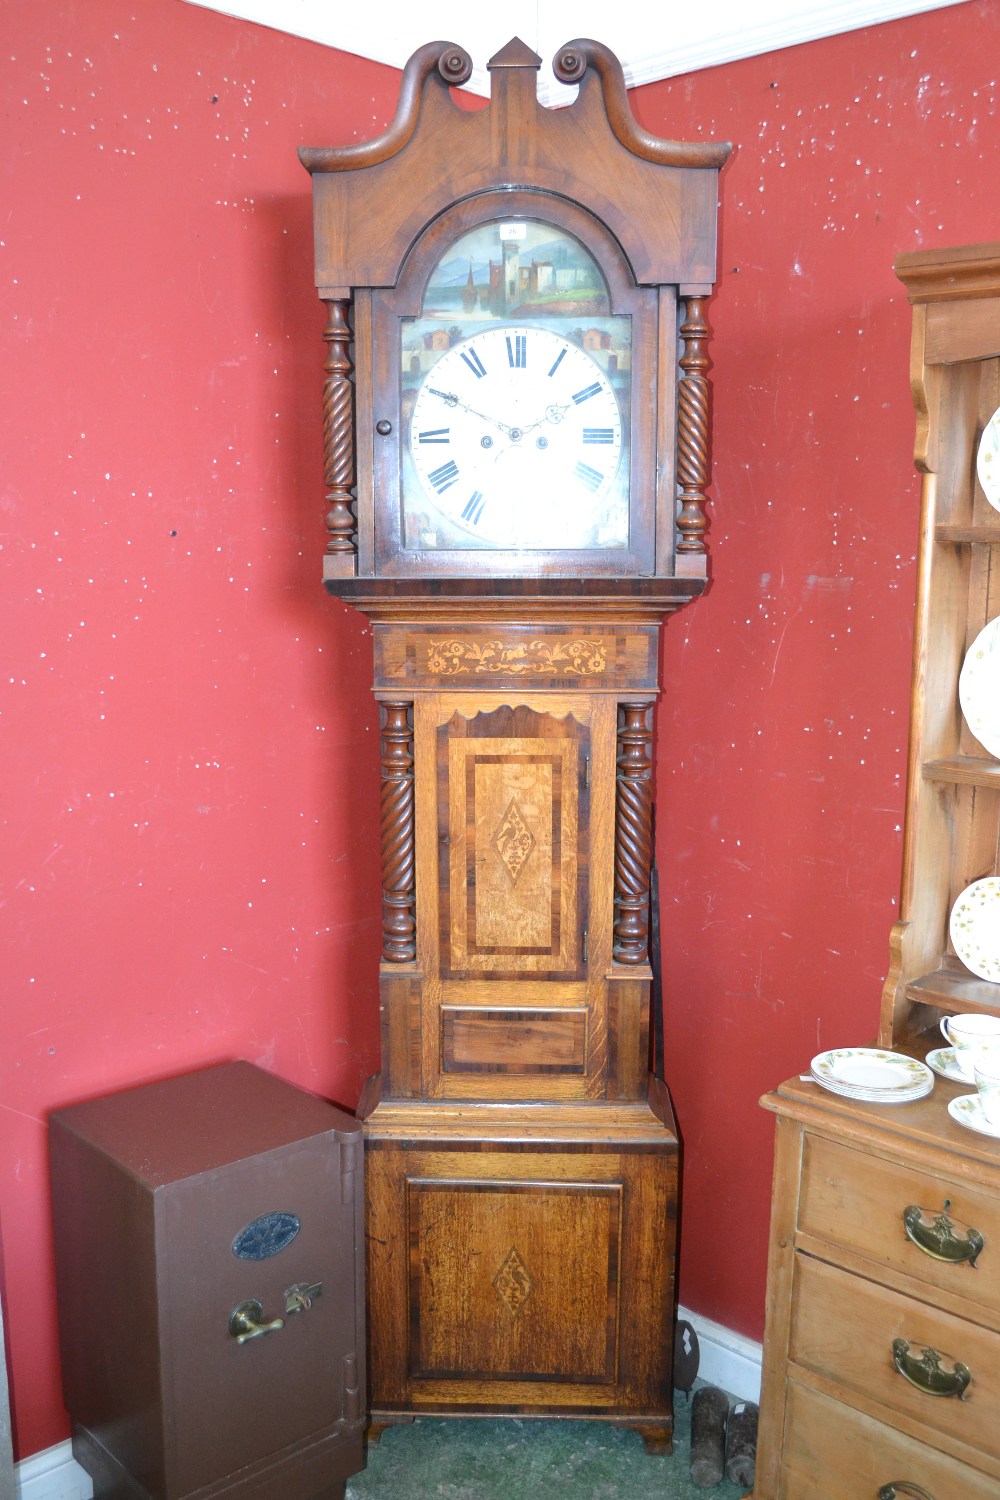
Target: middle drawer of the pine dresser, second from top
pixel 843 1328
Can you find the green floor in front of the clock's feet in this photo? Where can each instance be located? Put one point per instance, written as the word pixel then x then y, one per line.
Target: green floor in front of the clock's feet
pixel 528 1460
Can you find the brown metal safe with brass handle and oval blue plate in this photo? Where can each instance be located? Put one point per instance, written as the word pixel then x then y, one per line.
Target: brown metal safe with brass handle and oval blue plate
pixel 211 1267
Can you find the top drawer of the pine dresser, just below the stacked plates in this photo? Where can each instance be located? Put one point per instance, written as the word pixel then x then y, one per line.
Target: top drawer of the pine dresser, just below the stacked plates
pixel 858 1202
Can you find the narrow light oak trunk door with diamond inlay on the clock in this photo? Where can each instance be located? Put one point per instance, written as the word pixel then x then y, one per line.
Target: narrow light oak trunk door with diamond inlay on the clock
pixel 513 835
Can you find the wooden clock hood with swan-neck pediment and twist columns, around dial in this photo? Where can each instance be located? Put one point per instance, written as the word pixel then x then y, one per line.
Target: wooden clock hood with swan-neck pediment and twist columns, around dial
pixel 642 208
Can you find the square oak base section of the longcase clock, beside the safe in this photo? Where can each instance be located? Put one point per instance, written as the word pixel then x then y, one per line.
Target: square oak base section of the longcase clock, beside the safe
pixel 522 1276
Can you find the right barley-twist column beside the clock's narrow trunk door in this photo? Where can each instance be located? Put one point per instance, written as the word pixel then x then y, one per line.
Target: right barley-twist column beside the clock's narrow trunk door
pixel 633 833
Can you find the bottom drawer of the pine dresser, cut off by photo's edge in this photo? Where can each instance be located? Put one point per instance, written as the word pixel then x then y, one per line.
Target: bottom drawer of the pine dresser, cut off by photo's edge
pixel 833 1451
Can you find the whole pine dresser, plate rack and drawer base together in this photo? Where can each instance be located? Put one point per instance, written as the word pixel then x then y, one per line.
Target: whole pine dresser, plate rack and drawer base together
pixel 882 1352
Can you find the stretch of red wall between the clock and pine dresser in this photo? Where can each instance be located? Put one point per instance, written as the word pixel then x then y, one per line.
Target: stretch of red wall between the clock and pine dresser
pixel 783 736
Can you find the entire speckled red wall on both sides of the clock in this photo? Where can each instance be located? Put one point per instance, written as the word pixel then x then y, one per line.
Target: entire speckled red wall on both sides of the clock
pixel 191 814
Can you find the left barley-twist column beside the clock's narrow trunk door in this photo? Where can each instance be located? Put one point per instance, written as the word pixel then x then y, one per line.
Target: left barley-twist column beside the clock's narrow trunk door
pixel 400 890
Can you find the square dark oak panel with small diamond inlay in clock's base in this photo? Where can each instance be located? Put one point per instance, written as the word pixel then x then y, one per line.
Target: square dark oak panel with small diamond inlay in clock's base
pixel 503 1256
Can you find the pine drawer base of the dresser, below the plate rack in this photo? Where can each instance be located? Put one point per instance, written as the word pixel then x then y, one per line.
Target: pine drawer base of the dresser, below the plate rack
pixel 839 1418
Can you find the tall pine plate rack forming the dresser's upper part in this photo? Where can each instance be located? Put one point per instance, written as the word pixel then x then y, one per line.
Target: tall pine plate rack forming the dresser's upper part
pixel 953 809
